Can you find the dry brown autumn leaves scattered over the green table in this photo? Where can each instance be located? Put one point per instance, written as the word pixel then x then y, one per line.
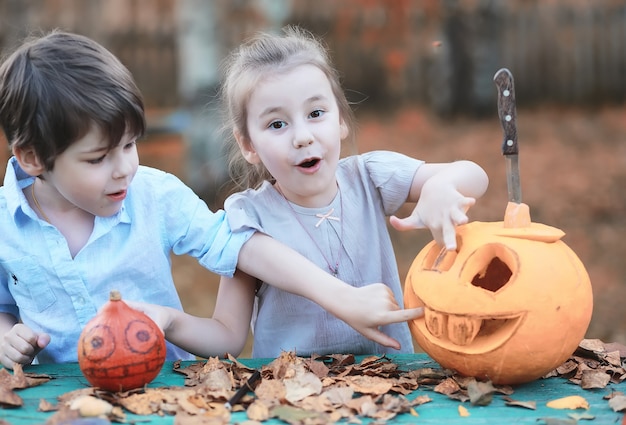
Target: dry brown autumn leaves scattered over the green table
pixel 317 390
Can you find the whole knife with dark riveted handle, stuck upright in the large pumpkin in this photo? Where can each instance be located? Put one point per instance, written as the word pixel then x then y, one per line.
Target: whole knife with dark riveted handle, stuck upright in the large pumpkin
pixel 508 119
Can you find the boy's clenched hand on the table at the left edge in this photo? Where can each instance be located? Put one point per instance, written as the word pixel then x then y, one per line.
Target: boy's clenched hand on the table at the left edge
pixel 20 345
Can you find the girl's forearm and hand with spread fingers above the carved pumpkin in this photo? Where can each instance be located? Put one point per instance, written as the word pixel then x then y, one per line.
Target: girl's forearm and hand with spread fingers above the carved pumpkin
pixel 444 193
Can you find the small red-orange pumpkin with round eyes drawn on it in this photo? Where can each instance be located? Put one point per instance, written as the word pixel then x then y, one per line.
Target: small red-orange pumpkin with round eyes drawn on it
pixel 121 348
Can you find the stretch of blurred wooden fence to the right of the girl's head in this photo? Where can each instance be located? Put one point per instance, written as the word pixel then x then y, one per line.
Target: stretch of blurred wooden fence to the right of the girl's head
pixel 444 53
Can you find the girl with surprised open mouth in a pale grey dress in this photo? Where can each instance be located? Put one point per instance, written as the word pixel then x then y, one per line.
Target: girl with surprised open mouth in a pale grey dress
pixel 289 118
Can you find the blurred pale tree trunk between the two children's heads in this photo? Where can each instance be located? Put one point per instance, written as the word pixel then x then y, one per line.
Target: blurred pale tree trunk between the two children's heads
pixel 207 30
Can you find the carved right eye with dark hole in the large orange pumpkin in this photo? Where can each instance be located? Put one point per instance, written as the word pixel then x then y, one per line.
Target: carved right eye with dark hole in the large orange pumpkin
pixel 489 267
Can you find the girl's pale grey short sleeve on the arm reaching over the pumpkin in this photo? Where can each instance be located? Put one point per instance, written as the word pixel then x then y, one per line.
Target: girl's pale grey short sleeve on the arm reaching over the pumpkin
pixel 392 174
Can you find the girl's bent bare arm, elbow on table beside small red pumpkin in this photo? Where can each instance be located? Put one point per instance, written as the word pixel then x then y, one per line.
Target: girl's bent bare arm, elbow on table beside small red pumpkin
pixel 225 332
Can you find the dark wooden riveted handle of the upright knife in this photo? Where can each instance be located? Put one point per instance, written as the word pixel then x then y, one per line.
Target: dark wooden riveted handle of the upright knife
pixel 506 110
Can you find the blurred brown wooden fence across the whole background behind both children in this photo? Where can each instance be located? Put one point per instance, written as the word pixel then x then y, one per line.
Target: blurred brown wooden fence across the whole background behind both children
pixel 440 53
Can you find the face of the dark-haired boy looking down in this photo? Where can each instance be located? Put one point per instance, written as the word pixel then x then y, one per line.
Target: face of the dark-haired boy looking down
pixel 89 176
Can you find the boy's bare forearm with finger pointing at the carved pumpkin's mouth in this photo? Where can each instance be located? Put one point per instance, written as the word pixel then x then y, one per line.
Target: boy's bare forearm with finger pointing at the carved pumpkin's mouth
pixel 365 308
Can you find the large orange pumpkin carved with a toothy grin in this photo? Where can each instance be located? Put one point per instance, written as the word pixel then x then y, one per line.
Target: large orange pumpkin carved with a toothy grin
pixel 510 304
